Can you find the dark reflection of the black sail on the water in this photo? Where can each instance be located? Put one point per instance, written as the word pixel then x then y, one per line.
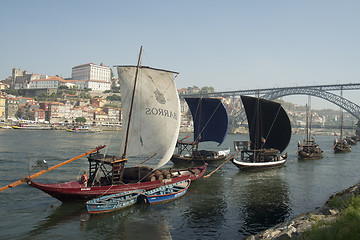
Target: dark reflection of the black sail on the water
pixel 265 200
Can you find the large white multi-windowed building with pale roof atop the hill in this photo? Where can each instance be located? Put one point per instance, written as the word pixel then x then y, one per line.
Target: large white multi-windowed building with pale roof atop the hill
pixel 91 71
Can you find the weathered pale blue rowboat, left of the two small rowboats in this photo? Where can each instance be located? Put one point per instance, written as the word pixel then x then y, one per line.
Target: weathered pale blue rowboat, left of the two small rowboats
pixel 110 203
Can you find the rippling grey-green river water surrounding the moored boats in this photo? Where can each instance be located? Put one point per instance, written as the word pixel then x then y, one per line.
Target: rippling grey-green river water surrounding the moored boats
pixel 228 205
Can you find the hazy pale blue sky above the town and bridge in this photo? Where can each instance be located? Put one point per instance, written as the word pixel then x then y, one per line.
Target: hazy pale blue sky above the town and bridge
pixel 230 45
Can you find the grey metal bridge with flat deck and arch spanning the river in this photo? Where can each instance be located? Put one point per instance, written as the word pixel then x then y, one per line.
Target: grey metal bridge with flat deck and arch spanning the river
pixel 321 91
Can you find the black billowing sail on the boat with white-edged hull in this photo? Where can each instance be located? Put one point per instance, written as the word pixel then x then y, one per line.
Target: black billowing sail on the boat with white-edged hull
pixel 269 125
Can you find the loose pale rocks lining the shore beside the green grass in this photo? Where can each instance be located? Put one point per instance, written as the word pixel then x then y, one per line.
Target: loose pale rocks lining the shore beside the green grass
pixel 304 222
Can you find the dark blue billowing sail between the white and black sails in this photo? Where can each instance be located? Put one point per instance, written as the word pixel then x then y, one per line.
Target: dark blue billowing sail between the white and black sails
pixel 211 121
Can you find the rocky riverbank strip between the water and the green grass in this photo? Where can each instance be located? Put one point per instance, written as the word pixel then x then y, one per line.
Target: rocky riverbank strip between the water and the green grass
pixel 304 223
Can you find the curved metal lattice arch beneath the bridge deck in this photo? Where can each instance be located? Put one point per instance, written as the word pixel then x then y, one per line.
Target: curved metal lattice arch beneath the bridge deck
pixel 345 104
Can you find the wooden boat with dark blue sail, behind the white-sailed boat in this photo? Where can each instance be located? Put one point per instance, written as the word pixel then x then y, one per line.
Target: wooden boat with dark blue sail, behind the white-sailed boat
pixel 211 123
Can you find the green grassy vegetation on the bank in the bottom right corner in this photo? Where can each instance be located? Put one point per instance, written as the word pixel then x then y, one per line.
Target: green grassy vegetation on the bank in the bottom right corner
pixel 347 226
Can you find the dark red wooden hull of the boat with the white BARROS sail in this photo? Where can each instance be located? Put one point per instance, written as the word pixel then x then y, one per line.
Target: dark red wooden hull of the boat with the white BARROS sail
pixel 76 191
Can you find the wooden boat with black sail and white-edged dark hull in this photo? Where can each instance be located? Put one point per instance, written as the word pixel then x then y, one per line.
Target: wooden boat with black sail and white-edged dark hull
pixel 270 134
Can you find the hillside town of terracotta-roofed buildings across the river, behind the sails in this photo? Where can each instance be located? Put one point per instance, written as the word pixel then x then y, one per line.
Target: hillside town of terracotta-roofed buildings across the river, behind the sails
pixel 92 95
